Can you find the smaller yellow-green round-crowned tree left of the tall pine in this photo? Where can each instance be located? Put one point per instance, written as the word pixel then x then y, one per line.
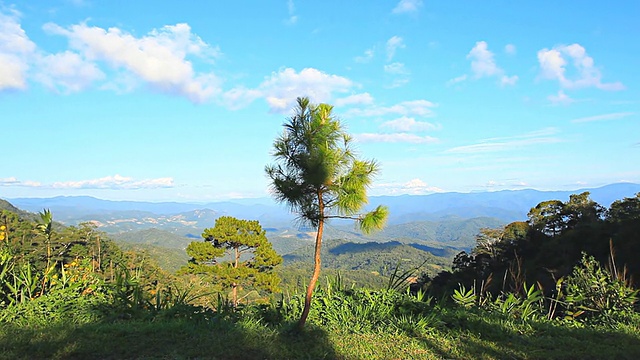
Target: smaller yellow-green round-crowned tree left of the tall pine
pixel 235 253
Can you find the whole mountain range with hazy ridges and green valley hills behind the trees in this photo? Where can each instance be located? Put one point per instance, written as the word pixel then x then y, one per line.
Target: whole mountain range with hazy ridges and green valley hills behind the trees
pixel 421 227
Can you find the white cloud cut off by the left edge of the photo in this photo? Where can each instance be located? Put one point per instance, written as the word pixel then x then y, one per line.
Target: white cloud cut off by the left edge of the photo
pixel 15 50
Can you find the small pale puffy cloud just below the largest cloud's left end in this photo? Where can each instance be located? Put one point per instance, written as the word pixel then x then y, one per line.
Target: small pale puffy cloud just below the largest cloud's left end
pixel 68 71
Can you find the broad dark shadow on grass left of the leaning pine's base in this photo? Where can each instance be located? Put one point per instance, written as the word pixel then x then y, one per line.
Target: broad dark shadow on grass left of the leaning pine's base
pixel 167 339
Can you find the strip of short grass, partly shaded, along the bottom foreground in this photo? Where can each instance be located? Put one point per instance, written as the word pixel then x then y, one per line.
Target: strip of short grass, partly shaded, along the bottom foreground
pixel 451 334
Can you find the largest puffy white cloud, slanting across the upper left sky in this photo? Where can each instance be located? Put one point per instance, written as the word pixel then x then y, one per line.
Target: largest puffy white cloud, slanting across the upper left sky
pixel 159 58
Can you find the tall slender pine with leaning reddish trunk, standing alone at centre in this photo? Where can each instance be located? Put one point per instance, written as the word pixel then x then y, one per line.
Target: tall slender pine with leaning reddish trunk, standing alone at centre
pixel 319 177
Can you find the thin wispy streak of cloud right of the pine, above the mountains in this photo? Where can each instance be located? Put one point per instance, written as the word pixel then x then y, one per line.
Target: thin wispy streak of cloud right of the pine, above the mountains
pixel 543 136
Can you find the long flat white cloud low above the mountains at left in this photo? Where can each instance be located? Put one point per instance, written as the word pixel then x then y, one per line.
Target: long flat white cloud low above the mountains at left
pixel 116 182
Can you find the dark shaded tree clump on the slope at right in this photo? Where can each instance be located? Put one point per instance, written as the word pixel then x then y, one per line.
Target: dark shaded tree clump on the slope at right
pixel 547 246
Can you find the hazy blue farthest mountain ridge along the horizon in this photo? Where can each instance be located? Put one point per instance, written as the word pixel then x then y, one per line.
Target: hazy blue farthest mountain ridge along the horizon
pixel 506 205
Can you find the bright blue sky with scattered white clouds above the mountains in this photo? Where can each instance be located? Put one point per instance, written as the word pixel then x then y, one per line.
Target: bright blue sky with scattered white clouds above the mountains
pixel 181 101
